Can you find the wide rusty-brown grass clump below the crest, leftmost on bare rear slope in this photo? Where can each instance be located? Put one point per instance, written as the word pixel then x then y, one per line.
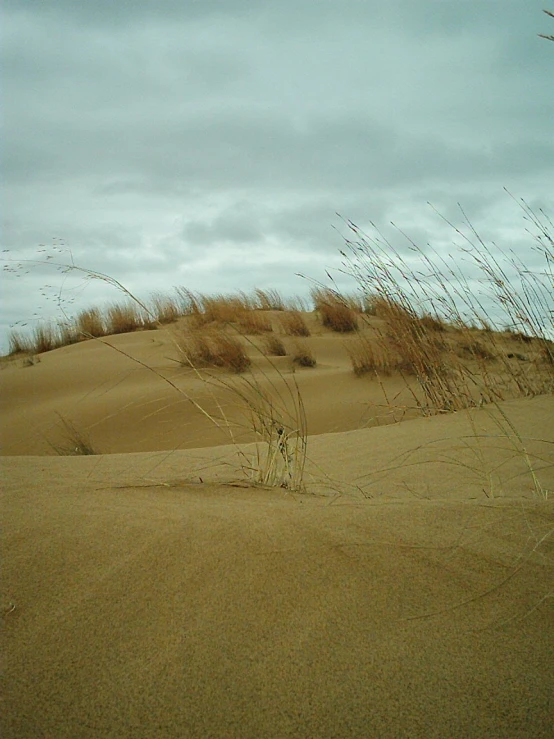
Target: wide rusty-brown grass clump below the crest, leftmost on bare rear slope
pixel 213 349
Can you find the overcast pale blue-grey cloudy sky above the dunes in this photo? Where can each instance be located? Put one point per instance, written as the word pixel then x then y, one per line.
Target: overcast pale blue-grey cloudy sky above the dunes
pixel 211 143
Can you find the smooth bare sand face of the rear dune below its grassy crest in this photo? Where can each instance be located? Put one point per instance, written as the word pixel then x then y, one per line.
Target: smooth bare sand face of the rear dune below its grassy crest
pixel 123 406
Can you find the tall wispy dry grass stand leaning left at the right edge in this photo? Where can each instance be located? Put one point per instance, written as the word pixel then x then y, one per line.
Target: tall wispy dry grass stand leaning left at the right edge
pixel 455 365
